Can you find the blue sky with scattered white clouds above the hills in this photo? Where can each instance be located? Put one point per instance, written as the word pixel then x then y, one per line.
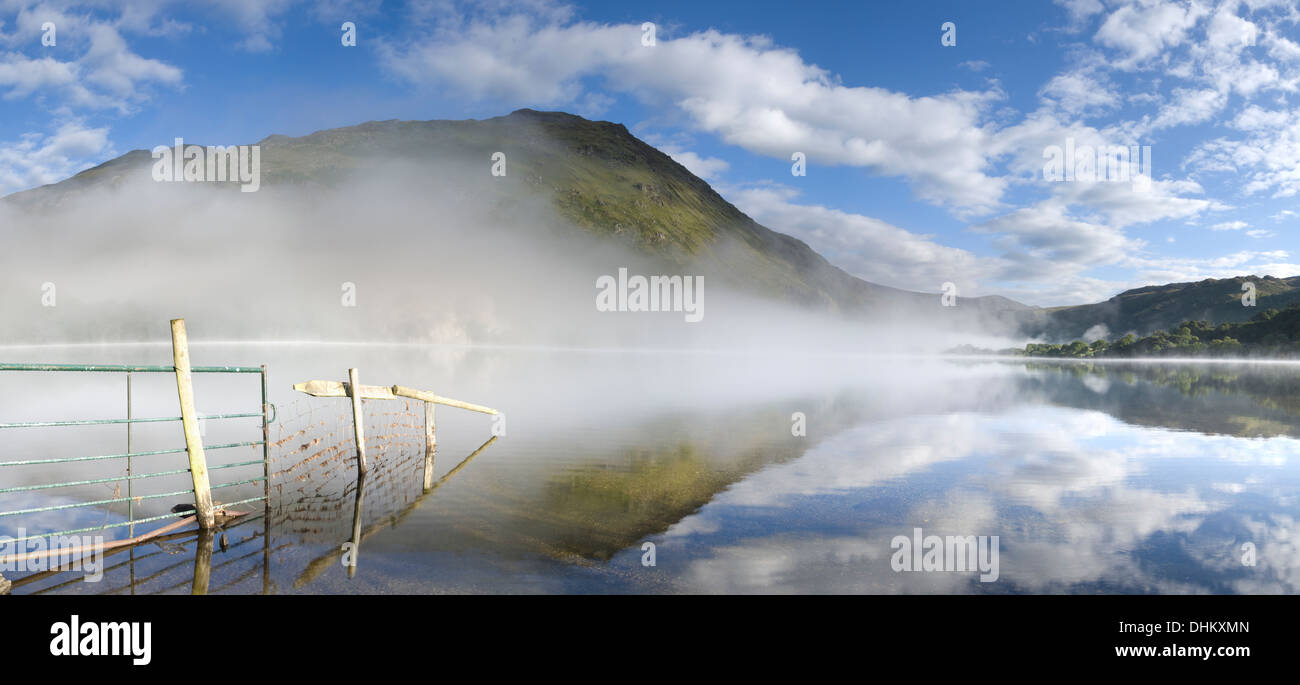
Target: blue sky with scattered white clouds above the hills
pixel 925 162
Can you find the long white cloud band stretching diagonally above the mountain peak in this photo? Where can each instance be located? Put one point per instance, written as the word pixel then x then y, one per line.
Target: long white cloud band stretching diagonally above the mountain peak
pixel 743 89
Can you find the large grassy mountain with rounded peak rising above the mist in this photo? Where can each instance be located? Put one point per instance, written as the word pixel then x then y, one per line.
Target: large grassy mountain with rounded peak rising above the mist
pixel 601 179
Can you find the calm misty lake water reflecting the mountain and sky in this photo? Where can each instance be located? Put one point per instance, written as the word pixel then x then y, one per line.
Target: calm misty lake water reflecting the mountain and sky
pixel 1094 478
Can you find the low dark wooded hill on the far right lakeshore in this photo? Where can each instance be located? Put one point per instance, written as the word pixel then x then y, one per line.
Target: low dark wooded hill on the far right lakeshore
pixel 1147 310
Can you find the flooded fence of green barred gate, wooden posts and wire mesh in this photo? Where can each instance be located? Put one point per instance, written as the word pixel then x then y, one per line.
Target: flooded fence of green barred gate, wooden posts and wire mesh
pixel 398 430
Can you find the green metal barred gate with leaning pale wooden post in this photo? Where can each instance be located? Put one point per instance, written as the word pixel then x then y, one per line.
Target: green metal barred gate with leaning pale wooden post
pixel 202 488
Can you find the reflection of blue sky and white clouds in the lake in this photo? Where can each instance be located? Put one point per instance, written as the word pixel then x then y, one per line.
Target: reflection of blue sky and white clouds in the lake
pixel 1086 498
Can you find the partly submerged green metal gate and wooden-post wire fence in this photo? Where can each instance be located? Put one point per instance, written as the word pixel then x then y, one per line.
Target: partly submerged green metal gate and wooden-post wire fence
pixel 313 454
